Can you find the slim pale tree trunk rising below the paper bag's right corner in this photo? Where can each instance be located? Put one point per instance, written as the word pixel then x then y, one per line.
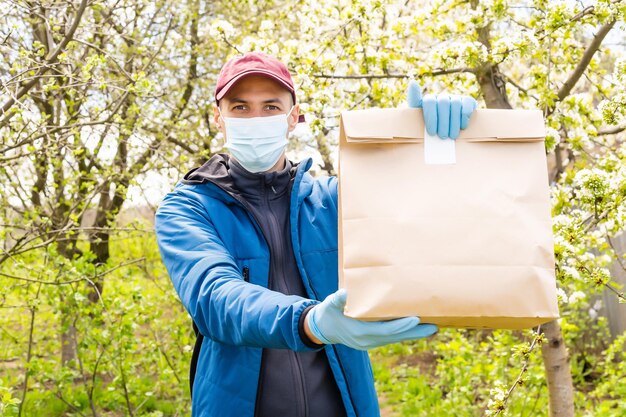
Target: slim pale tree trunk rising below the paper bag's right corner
pixel 556 363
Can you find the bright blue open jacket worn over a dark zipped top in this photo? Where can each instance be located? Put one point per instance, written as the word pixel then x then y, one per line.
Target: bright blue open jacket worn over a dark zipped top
pixel 207 238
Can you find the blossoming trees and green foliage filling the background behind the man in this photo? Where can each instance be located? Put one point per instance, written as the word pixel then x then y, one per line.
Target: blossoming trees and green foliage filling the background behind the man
pixel 127 101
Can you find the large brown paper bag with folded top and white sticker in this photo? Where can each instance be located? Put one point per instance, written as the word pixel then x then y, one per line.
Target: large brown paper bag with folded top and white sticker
pixel 464 244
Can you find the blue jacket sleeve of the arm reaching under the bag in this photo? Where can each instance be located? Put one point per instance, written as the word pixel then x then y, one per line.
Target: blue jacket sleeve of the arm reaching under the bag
pixel 224 306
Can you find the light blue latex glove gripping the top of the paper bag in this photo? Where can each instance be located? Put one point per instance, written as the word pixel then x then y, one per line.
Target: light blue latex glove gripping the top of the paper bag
pixel 444 115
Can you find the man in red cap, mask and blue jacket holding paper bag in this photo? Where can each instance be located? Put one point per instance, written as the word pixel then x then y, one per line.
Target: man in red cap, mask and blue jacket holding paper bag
pixel 250 242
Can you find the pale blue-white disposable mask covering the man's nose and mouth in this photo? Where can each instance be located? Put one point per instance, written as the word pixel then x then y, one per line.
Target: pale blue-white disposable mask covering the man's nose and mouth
pixel 257 142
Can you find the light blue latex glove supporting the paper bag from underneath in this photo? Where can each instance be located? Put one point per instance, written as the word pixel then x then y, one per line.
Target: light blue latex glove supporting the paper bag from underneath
pixel 327 322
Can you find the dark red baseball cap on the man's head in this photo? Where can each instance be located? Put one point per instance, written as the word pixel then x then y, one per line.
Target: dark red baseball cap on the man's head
pixel 253 63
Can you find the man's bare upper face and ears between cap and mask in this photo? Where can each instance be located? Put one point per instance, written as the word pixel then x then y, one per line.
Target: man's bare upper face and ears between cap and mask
pixel 256 96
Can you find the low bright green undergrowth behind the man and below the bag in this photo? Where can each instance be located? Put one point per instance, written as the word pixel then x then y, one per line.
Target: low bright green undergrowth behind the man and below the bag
pixel 137 341
